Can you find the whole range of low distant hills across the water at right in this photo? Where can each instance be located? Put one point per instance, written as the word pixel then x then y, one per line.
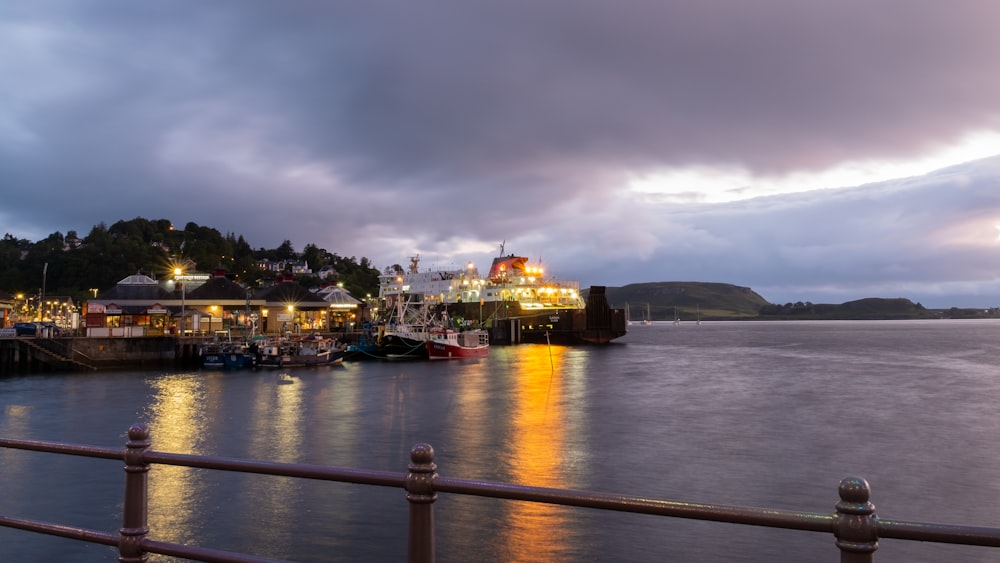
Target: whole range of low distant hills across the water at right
pixel 722 301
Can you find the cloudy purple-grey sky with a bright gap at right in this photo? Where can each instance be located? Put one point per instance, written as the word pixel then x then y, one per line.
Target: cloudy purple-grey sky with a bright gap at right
pixel 812 150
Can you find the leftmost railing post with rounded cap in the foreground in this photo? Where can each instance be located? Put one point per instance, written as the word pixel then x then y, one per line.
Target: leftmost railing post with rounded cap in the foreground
pixel 134 528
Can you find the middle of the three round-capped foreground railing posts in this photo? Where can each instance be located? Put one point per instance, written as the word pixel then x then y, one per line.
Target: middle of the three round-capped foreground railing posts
pixel 420 493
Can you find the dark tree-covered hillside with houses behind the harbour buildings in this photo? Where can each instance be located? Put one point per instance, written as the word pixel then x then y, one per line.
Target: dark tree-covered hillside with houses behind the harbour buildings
pixel 71 265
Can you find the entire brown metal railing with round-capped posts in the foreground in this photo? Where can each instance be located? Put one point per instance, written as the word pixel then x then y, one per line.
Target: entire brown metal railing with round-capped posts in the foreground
pixel 854 524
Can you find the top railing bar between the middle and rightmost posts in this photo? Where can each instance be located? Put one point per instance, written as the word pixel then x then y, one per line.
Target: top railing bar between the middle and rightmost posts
pixel 774 518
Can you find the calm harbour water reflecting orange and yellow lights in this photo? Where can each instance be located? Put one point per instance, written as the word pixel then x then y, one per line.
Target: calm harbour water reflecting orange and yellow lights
pixel 763 414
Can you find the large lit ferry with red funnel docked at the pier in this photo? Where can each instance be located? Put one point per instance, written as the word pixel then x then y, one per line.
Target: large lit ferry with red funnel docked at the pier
pixel 515 300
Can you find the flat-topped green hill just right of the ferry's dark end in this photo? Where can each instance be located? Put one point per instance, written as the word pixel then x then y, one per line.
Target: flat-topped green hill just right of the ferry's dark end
pixel 689 299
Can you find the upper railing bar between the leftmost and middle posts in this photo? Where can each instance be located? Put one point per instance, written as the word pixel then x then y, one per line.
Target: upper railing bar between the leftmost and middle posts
pixel 306 471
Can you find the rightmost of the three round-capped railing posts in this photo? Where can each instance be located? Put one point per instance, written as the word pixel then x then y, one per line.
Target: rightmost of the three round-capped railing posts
pixel 856 531
